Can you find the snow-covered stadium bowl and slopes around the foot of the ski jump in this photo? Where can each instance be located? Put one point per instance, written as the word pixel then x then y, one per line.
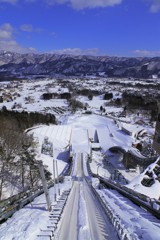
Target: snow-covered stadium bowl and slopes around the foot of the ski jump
pixel 75 131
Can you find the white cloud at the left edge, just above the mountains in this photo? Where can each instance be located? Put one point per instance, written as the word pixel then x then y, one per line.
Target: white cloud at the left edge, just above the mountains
pixel 8 42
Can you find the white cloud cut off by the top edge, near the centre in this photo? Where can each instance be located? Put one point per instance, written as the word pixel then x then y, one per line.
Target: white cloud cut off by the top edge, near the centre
pixel 82 4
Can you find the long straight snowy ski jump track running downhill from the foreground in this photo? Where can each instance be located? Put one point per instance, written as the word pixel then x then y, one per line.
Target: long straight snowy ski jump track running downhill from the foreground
pixel 83 216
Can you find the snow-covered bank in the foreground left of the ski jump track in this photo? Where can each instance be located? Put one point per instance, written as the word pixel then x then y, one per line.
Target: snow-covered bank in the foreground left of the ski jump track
pixel 27 223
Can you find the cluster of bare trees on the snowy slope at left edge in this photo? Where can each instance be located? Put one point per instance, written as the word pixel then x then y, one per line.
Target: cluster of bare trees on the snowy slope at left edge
pixel 17 160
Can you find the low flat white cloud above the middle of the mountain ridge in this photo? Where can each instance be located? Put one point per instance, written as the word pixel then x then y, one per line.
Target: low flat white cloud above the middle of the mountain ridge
pixel 77 51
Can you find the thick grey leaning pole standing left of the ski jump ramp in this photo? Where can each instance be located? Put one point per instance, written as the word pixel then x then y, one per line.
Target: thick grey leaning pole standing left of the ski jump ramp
pixel 41 170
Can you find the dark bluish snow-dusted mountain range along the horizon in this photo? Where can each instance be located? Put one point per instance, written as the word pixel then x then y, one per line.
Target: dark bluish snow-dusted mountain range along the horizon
pixel 21 65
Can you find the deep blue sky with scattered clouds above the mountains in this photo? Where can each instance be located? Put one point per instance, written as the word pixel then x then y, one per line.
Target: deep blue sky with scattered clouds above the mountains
pixel 92 27
